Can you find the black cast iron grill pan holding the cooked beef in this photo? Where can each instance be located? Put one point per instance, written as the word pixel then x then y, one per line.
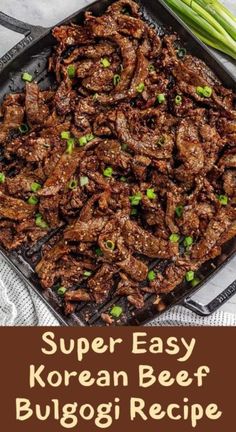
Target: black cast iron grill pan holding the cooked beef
pixel 31 54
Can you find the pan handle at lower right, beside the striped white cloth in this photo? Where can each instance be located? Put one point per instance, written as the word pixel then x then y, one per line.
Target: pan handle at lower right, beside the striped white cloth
pixel 216 303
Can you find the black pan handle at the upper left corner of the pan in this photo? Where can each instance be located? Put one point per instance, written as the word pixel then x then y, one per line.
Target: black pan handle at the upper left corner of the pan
pixel 30 32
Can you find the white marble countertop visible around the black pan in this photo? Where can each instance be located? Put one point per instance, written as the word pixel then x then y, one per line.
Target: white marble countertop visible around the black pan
pixel 47 13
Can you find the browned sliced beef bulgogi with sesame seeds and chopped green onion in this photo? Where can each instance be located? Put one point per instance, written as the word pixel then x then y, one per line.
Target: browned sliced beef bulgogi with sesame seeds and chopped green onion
pixel 131 158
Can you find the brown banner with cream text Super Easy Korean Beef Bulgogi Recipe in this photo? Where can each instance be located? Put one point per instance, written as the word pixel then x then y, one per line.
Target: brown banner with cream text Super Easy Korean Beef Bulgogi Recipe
pixel 117 379
